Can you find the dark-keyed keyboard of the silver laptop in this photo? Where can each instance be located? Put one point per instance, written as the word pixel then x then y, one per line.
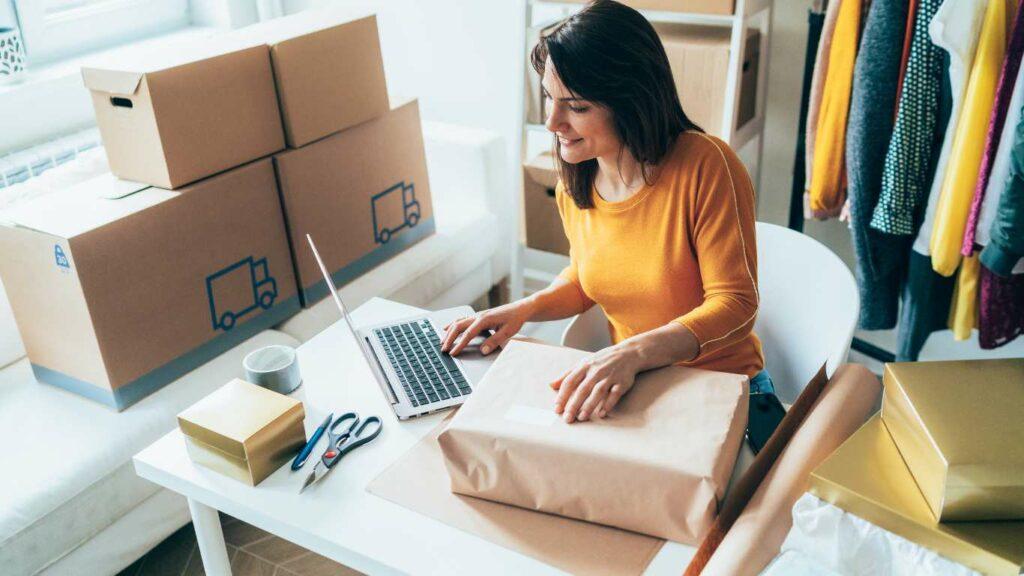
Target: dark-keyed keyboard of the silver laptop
pixel 428 376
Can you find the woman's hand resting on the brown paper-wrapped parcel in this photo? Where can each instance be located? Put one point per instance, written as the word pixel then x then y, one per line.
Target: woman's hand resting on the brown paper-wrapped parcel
pixel 593 388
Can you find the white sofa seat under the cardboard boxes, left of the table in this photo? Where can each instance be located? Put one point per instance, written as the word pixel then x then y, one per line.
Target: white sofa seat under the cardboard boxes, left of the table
pixel 69 460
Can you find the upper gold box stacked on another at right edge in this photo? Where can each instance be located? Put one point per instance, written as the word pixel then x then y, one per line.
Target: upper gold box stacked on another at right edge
pixel 960 427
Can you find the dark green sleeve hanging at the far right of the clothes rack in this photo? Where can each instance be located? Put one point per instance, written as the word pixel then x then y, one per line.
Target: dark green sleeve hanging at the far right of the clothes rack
pixel 1007 244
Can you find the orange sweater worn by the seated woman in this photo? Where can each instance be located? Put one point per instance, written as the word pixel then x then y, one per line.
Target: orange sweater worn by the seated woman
pixel 679 251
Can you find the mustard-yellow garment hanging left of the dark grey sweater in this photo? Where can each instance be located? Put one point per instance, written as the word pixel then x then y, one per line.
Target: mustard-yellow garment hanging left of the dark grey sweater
pixel 829 173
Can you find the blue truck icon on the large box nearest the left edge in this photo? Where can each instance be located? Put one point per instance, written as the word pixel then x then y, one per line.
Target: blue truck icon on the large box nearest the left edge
pixel 238 290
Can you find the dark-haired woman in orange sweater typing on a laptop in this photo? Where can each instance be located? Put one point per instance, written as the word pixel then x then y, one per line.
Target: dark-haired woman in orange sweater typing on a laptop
pixel 660 219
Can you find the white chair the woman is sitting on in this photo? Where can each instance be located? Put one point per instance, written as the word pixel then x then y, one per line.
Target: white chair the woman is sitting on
pixel 808 311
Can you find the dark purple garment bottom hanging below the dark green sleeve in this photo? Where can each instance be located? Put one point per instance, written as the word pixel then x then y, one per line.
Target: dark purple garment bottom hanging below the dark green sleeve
pixel 1002 310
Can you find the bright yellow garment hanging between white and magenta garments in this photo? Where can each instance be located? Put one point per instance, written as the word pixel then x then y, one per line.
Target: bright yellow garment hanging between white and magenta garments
pixel 969 140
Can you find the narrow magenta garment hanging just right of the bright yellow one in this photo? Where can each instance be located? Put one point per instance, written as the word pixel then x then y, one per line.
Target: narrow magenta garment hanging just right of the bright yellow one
pixel 1004 94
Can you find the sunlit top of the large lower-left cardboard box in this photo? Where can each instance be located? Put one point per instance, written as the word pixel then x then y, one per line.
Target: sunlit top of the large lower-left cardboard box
pixel 87 207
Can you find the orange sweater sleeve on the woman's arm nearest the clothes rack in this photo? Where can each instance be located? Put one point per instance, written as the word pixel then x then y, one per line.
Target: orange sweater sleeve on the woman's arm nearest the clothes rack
pixel 723 237
